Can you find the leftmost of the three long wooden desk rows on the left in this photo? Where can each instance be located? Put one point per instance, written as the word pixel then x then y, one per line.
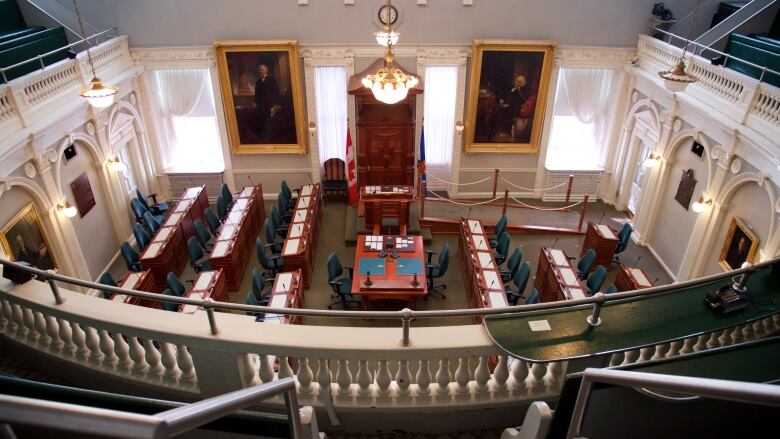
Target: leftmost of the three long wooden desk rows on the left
pixel 167 250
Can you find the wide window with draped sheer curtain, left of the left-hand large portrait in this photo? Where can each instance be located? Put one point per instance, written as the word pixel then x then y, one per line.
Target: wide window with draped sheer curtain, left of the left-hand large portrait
pixel 187 120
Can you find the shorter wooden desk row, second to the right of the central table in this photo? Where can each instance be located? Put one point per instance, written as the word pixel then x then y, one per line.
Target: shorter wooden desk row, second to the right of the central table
pixel 556 279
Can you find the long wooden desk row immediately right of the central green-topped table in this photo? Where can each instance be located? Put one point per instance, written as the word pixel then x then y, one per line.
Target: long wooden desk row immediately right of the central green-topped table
pixel 483 279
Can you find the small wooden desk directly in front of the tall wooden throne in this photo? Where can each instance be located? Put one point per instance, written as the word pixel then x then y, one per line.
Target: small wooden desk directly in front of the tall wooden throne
pixel 386 201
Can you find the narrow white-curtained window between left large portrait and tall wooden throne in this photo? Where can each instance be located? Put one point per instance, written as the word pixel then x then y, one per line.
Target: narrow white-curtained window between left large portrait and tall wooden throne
pixel 330 91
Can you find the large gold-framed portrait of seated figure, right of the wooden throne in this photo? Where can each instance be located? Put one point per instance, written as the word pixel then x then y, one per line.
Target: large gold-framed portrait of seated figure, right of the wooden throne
pixel 508 95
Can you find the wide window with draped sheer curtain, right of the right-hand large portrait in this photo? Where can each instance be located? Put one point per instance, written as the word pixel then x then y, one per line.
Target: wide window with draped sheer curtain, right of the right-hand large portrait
pixel 580 126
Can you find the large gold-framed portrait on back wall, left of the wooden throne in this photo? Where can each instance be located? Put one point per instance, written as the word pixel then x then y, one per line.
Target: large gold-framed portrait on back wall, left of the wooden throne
pixel 261 92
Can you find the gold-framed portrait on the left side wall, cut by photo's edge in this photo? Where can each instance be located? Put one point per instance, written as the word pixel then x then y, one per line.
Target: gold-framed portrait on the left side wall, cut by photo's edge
pixel 23 240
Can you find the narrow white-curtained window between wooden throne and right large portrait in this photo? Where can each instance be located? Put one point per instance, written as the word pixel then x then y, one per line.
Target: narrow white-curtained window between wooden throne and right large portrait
pixel 439 121
